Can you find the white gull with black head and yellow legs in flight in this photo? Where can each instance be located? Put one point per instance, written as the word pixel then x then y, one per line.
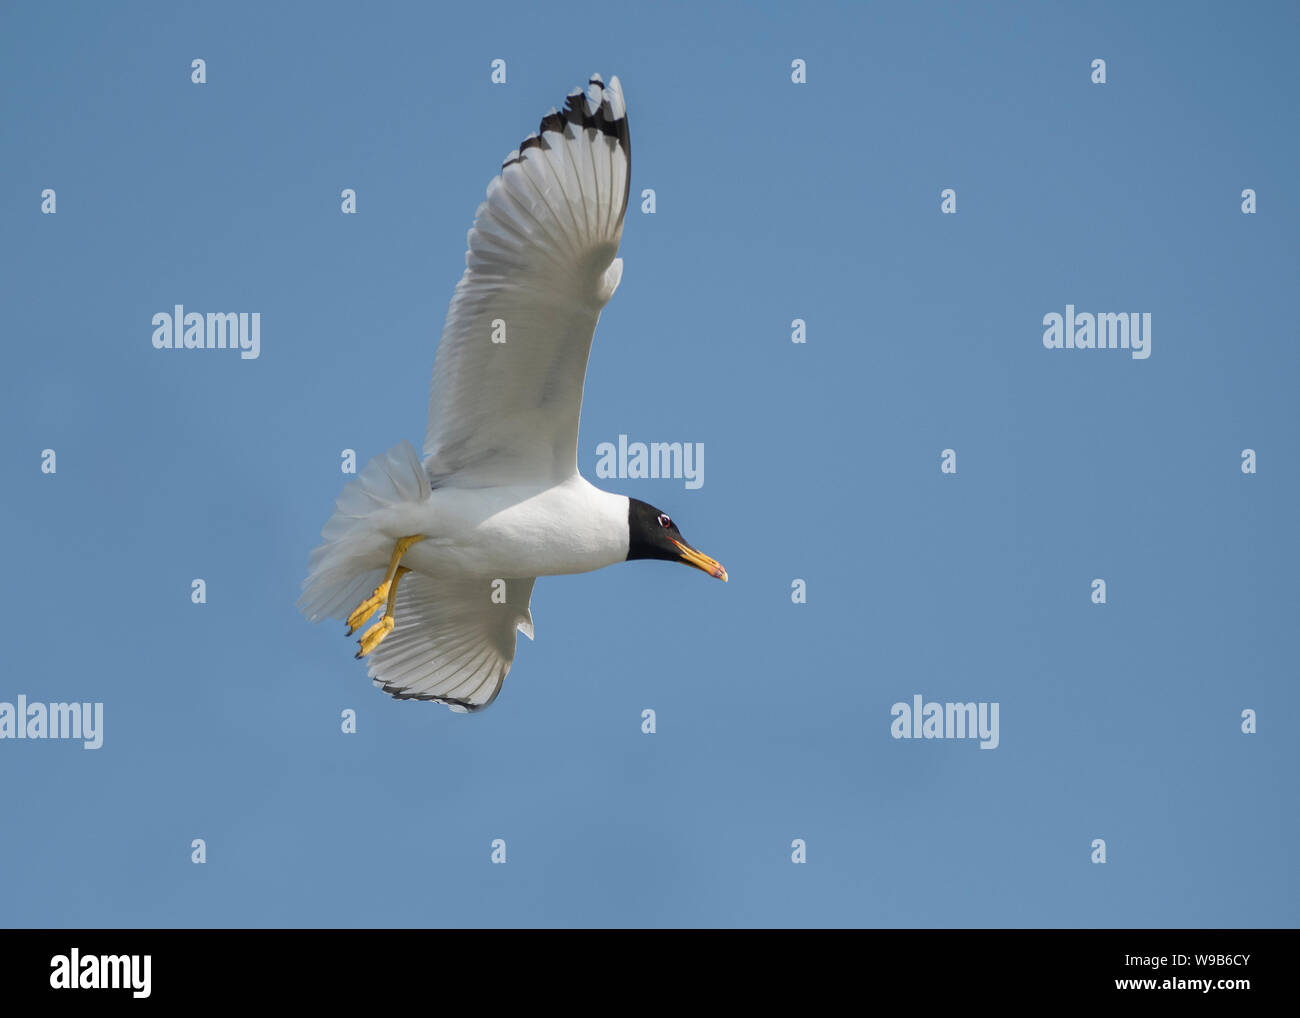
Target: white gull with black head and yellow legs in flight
pixel 450 544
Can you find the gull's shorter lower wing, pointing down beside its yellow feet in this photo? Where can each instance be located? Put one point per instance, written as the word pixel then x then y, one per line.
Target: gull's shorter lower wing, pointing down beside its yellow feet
pixel 454 640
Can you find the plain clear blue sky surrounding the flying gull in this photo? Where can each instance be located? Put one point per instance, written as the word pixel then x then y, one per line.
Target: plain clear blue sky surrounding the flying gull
pixel 774 202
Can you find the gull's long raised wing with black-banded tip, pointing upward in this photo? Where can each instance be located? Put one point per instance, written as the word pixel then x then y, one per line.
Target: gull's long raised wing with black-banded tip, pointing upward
pixel 508 380
